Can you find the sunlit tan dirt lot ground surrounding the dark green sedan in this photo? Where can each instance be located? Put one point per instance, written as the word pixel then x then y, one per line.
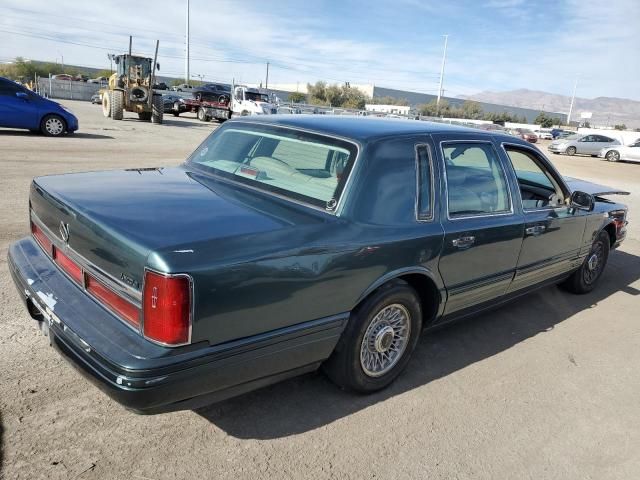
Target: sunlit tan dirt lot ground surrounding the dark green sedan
pixel 546 387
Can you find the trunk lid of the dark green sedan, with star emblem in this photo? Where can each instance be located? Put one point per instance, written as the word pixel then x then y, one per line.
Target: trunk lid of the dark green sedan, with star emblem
pixel 114 220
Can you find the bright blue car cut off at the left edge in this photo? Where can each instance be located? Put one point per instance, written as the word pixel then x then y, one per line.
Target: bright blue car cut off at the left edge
pixel 22 108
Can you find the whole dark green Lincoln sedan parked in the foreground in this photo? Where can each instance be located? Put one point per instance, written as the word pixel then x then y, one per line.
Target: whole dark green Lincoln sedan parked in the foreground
pixel 285 244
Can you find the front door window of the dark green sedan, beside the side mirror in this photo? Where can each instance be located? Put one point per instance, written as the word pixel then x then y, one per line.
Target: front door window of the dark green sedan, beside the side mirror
pixel 538 187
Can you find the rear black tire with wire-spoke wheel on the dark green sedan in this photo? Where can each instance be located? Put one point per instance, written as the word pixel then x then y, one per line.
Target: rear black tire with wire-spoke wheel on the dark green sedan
pixel 345 367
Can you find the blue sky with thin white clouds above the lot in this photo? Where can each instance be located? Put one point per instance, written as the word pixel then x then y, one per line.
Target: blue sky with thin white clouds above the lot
pixel 493 44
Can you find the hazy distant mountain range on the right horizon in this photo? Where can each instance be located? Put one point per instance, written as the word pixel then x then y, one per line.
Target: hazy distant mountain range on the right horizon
pixel 606 110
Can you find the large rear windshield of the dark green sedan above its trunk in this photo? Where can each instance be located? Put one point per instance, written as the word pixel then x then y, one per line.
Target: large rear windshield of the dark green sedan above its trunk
pixel 302 166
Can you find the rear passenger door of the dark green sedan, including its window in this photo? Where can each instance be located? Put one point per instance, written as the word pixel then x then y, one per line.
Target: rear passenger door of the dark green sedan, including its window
pixel 483 232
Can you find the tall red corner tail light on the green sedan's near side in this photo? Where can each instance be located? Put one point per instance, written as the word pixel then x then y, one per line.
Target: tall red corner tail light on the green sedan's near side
pixel 167 308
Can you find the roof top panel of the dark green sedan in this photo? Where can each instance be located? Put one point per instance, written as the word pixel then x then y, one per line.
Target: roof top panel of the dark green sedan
pixel 362 128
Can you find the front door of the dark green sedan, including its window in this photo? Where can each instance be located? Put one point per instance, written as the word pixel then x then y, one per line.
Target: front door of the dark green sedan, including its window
pixel 553 232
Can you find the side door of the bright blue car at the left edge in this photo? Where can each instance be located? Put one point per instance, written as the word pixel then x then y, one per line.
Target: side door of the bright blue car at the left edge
pixel 18 107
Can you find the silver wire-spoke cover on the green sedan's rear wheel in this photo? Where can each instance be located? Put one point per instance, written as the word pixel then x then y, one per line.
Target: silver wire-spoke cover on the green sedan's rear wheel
pixel 385 340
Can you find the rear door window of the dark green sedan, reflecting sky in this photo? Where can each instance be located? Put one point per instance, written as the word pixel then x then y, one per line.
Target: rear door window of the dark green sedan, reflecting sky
pixel 476 183
